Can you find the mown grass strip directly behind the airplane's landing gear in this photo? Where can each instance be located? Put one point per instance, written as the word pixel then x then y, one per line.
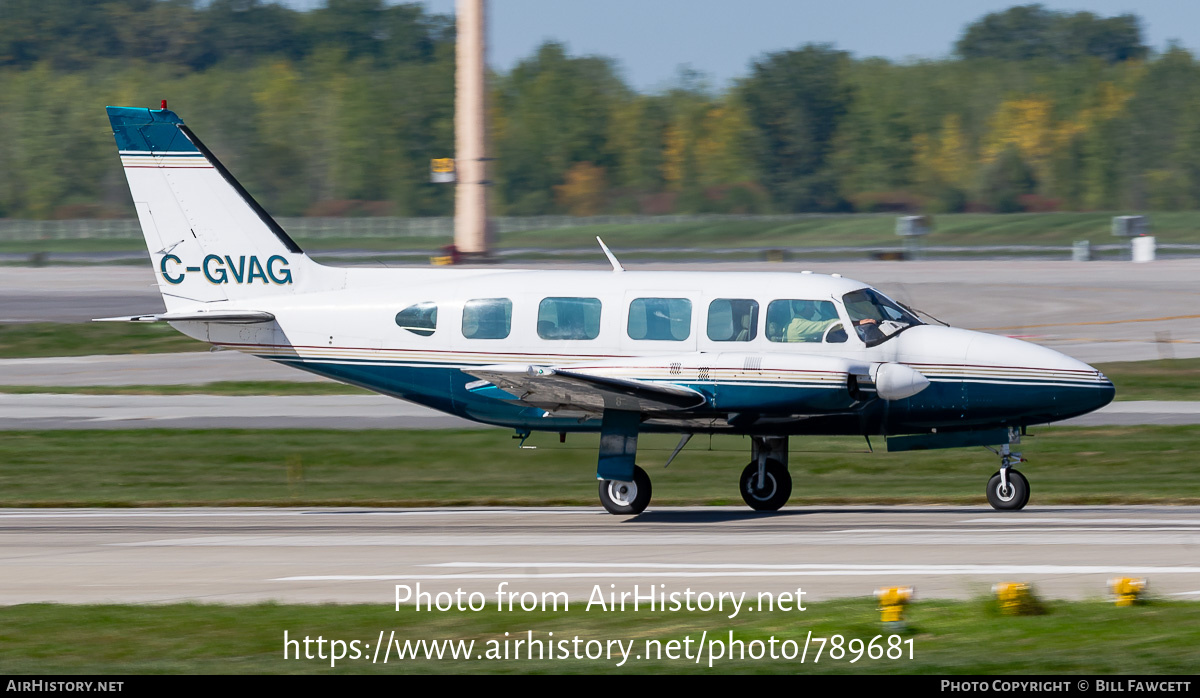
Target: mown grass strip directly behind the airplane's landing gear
pixel 484 467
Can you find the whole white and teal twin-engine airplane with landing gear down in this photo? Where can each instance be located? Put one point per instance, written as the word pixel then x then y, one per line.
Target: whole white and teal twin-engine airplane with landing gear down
pixel 766 356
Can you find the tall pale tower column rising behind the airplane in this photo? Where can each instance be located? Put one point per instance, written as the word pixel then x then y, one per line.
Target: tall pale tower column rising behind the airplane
pixel 471 233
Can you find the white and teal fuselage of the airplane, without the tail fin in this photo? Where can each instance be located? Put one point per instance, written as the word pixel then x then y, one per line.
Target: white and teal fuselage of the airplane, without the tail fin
pixel 352 334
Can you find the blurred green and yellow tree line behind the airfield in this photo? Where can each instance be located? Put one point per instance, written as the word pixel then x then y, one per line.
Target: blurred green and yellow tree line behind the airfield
pixel 339 111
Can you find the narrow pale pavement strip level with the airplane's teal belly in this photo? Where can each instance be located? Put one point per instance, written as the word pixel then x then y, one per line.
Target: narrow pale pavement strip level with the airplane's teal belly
pixel 353 412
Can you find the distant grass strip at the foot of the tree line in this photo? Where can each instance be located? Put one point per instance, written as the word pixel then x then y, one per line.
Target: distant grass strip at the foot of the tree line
pixel 819 231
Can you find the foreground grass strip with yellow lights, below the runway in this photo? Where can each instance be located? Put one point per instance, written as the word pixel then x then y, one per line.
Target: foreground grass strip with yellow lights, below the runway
pixel 947 637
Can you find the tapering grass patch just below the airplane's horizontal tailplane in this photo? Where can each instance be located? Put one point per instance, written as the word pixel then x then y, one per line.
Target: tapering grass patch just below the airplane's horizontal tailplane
pixel 26 340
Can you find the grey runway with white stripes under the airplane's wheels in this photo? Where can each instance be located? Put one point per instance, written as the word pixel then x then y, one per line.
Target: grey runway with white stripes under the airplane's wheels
pixel 359 556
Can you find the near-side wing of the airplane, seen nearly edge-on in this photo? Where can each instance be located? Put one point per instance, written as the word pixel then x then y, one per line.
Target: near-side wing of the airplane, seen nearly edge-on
pixel 566 390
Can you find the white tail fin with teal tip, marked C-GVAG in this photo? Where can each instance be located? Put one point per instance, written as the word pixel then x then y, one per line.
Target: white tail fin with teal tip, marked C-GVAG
pixel 208 238
